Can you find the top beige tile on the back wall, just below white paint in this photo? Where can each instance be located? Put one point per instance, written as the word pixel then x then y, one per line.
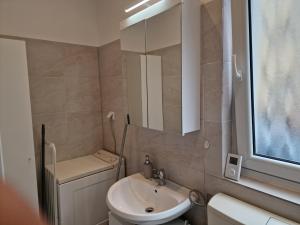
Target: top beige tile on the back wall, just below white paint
pixel 48 58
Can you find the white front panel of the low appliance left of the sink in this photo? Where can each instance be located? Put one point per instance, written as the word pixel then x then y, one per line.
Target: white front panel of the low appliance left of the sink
pixel 83 201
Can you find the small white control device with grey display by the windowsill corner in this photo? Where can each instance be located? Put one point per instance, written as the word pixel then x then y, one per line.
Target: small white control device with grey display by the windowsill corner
pixel 233 166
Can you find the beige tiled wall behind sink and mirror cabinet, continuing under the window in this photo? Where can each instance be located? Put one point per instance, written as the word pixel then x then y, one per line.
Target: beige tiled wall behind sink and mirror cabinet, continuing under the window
pixel 185 159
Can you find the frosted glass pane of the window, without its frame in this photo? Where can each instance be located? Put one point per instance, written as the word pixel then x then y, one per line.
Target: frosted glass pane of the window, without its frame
pixel 275 26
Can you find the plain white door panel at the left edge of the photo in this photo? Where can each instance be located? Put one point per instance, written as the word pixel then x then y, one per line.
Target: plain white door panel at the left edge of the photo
pixel 17 146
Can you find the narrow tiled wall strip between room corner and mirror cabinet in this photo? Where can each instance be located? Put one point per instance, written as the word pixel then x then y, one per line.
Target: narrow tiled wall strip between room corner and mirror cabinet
pixel 113 92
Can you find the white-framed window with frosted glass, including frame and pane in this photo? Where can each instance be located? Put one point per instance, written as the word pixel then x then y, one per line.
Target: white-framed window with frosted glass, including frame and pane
pixel 267 100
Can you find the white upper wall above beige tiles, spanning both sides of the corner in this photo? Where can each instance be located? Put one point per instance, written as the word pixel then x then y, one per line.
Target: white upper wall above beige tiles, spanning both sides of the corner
pixel 86 22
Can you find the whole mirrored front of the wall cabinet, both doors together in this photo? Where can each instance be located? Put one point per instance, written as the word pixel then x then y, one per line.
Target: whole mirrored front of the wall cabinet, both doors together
pixel 152 64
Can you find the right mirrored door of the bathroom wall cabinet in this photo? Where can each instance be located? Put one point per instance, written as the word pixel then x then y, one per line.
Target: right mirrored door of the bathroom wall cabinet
pixel 163 50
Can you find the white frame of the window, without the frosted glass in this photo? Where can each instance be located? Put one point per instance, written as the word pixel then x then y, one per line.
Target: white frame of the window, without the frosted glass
pixel 242 96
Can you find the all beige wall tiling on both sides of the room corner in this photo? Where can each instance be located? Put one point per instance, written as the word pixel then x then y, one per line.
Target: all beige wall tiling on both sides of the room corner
pixel 70 98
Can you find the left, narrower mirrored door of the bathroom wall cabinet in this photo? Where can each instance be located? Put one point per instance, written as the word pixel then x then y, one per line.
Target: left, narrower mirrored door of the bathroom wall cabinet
pixel 134 69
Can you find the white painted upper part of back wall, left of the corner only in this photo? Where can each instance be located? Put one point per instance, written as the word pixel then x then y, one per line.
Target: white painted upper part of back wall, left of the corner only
pixel 70 21
